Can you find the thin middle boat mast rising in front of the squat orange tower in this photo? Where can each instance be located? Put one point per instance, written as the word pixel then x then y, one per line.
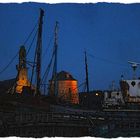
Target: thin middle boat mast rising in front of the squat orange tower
pixel 55 59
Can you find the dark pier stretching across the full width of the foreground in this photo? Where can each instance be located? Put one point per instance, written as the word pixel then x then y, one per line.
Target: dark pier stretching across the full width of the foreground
pixel 94 123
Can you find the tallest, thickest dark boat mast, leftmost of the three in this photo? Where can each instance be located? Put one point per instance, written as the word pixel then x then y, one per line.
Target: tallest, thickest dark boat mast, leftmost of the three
pixel 39 51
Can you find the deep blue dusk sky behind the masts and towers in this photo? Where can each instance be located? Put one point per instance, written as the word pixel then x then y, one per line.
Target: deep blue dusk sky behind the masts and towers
pixel 110 32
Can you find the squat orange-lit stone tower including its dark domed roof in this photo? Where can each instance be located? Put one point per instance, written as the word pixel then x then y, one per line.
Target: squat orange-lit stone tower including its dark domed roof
pixel 67 88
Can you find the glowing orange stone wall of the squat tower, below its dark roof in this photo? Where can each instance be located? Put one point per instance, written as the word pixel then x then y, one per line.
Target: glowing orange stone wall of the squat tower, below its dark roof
pixel 68 91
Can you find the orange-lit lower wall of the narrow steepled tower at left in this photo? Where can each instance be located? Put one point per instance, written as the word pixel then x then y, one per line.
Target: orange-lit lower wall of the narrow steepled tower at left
pixel 22 80
